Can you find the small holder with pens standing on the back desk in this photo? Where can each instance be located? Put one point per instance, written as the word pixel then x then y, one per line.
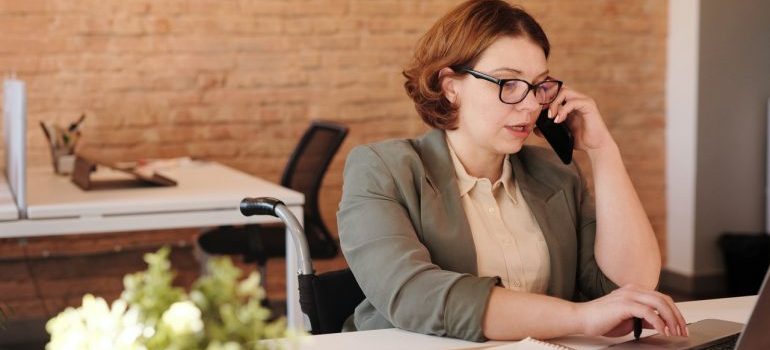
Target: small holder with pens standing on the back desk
pixel 62 142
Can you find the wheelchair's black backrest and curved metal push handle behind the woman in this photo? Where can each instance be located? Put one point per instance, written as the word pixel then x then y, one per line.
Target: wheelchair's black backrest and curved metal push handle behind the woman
pixel 327 299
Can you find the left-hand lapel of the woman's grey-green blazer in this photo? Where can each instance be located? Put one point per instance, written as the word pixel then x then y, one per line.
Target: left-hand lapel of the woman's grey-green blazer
pixel 446 231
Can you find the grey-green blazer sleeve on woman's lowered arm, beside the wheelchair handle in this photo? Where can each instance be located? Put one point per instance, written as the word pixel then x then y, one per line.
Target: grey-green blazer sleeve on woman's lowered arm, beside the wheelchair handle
pixel 392 266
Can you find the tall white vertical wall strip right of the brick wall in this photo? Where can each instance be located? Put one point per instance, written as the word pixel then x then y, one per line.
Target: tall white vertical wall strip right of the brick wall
pixel 681 134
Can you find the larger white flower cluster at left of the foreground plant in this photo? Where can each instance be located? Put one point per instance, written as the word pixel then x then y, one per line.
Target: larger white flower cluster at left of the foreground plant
pixel 95 325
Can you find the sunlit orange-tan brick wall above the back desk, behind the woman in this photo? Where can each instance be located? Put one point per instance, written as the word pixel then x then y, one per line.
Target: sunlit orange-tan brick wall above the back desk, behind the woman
pixel 238 81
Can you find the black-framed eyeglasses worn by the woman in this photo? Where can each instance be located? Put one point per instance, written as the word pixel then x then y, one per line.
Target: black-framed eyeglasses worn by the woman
pixel 513 91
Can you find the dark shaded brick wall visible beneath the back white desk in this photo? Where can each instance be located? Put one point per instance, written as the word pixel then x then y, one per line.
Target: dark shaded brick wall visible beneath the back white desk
pixel 40 277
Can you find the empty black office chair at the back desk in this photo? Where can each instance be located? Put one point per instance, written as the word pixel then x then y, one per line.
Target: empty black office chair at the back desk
pixel 304 173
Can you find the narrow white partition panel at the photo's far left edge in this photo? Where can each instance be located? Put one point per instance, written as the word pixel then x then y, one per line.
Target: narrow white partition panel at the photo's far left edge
pixel 15 132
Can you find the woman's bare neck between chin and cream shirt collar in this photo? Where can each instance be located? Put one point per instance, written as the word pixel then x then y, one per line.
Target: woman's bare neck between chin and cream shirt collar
pixel 477 161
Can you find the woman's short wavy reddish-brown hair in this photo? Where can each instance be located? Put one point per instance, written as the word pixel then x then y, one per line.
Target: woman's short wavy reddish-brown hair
pixel 458 39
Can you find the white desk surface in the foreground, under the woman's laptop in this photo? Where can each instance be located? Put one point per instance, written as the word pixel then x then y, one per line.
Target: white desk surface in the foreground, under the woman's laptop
pixel 731 309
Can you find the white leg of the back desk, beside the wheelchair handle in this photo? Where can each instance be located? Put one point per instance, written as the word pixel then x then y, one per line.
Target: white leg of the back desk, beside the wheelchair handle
pixel 294 315
